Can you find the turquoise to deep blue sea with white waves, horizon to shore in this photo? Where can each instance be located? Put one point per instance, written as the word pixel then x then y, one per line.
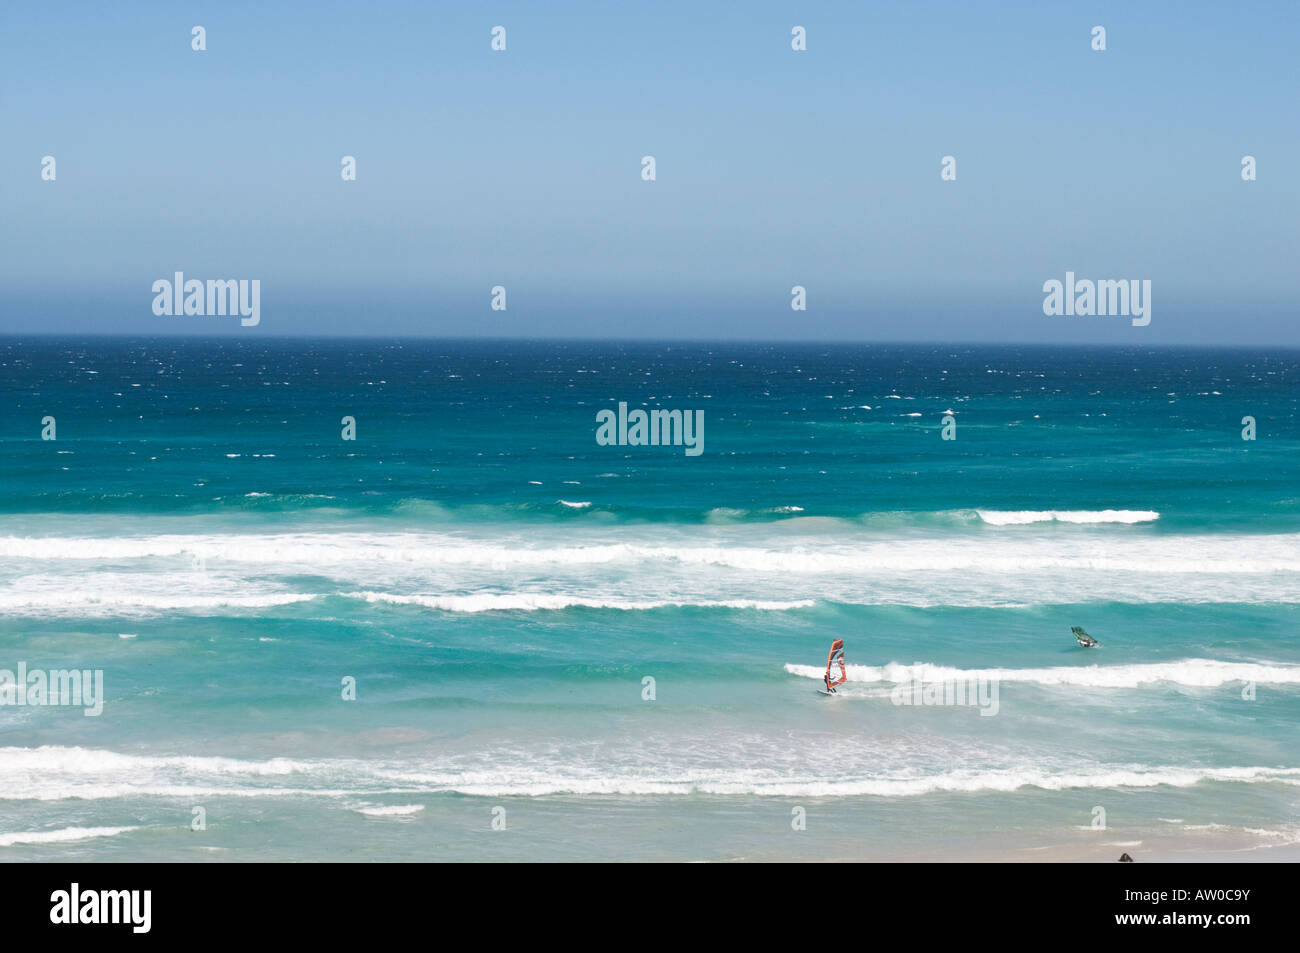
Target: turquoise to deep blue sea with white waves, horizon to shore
pixel 500 587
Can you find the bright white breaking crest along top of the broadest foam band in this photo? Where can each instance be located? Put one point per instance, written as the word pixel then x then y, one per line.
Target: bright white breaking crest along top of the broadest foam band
pixel 744 548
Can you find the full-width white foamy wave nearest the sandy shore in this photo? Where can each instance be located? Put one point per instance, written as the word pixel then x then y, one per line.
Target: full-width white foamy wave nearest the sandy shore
pixel 51 774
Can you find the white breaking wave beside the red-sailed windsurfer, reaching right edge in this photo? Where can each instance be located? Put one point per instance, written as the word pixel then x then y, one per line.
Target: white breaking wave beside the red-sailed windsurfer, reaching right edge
pixel 1201 673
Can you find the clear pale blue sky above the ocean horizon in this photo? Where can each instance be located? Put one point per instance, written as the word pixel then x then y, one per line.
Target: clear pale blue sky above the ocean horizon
pixel 775 168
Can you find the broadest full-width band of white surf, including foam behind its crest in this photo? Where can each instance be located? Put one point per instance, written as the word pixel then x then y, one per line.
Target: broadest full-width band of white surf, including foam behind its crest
pixel 723 564
